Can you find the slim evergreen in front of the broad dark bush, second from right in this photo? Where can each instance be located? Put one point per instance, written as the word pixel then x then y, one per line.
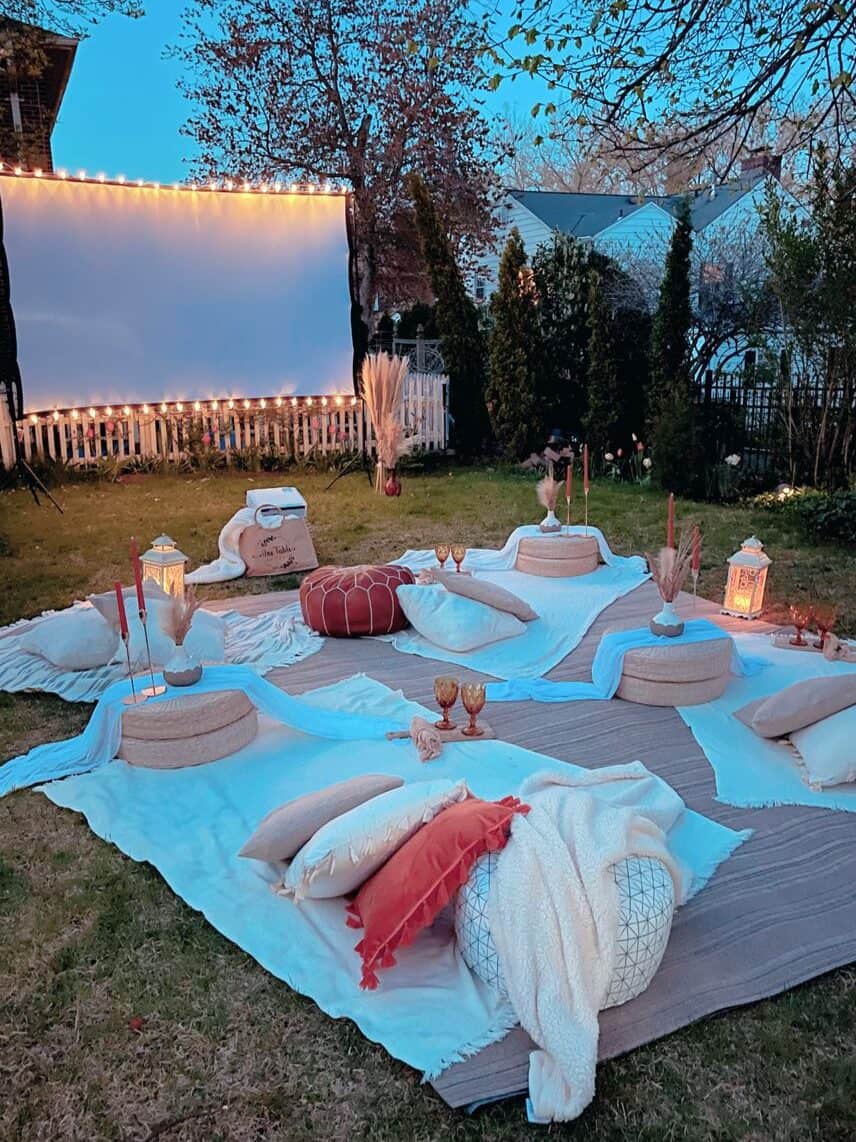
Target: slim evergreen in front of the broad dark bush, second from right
pixel 604 396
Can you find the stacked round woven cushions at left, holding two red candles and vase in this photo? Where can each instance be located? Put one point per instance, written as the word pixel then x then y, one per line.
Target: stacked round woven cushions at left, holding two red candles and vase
pixel 190 730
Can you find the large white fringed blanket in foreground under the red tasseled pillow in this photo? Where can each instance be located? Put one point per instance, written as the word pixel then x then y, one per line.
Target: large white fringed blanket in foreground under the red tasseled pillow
pixel 190 824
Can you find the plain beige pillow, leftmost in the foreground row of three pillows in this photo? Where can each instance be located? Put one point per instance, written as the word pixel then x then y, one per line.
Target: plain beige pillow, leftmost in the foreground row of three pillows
pixel 288 827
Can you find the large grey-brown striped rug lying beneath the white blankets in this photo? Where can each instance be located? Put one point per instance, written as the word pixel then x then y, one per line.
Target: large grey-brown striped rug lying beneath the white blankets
pixel 780 912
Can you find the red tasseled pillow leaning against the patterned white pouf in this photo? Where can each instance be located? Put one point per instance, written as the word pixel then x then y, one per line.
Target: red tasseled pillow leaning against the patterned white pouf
pixel 416 884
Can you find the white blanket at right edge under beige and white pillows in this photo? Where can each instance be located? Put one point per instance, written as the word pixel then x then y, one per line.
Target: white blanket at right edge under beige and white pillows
pixel 756 773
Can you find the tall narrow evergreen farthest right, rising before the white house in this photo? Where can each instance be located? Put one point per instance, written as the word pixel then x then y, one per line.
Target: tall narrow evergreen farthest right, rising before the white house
pixel 672 413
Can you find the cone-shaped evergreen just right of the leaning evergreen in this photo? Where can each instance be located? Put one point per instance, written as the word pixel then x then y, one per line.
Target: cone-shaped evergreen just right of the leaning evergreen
pixel 514 356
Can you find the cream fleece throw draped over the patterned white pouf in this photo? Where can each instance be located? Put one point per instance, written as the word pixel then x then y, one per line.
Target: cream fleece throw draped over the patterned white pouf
pixel 558 945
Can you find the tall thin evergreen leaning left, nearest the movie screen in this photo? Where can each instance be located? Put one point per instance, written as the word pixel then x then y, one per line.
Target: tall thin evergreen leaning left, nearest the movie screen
pixel 457 317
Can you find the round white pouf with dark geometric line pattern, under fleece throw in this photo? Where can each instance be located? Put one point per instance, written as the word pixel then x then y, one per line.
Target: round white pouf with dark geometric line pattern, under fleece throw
pixel 647 904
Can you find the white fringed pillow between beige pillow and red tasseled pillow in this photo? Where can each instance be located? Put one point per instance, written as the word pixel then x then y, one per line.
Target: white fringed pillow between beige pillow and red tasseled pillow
pixel 344 854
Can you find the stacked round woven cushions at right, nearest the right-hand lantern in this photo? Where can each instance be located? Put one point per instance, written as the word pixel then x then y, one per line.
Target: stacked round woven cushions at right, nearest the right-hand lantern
pixel 685 674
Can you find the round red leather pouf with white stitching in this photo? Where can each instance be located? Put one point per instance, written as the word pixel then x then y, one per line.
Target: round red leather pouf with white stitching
pixel 348 602
